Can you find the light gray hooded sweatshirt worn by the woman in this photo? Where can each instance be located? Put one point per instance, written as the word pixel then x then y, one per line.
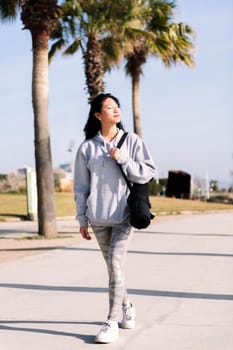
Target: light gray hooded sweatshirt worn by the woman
pixel 99 187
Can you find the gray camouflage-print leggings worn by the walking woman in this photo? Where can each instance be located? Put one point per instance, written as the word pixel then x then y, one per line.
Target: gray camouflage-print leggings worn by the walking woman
pixel 113 242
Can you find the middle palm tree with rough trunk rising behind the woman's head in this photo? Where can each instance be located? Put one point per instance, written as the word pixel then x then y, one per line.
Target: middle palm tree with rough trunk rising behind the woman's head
pixel 94 28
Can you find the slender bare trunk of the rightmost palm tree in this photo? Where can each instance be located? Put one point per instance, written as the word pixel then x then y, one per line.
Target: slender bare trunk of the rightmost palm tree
pixel 135 104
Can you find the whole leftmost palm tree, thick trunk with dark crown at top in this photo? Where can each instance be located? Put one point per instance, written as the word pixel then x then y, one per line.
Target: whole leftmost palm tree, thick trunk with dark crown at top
pixel 40 17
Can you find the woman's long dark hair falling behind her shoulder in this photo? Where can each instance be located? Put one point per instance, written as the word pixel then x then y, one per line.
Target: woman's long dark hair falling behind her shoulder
pixel 93 125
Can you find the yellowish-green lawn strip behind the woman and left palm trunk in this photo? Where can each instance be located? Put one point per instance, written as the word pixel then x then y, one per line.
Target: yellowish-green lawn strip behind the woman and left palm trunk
pixel 15 205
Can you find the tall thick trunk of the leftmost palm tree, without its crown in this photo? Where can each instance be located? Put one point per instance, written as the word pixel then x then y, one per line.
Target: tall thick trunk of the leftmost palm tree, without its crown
pixel 44 170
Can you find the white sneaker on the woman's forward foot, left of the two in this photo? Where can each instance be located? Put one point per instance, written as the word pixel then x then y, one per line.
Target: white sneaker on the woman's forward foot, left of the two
pixel 108 333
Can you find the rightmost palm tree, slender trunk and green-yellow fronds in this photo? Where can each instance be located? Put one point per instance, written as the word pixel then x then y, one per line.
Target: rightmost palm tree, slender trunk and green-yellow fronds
pixel 160 37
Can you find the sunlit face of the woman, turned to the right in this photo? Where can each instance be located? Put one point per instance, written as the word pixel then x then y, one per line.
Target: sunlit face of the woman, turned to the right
pixel 110 112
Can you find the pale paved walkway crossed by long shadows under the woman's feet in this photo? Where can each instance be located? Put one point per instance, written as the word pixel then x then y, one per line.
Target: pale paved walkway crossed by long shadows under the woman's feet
pixel 180 277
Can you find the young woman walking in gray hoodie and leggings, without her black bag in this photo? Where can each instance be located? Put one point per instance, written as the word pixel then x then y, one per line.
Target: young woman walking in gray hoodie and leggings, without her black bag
pixel 101 199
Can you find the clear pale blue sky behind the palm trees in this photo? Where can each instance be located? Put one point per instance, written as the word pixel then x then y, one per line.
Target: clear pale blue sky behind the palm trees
pixel 187 114
